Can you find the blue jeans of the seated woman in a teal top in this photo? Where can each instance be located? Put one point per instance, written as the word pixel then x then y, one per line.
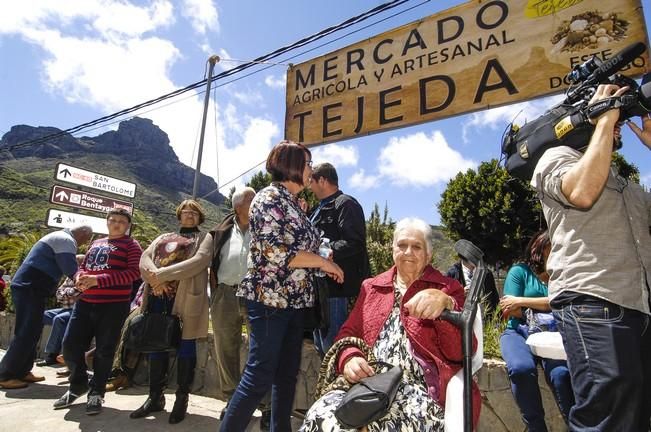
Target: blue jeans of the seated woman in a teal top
pixel 521 365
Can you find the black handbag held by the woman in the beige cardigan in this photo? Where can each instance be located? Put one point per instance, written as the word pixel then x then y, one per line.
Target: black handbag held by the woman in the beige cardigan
pixel 153 332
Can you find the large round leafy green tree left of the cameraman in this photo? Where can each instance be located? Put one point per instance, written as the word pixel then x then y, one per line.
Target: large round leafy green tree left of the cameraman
pixel 496 212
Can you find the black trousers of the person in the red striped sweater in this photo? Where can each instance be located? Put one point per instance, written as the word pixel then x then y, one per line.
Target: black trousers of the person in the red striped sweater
pixel 104 322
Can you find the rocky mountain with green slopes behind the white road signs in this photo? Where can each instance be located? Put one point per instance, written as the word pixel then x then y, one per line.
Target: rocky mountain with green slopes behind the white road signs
pixel 138 151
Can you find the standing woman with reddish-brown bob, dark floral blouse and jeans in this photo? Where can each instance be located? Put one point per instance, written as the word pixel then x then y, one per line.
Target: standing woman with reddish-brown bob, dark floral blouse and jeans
pixel 277 288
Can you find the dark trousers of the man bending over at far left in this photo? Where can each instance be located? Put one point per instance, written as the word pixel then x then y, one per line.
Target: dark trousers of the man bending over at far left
pixel 29 303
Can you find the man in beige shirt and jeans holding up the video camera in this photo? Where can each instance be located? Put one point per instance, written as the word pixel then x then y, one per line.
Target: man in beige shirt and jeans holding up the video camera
pixel 599 276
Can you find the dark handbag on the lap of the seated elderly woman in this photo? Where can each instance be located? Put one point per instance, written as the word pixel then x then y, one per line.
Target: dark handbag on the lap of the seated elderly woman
pixel 369 399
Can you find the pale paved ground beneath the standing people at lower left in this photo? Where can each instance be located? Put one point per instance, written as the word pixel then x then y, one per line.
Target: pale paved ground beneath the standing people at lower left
pixel 30 409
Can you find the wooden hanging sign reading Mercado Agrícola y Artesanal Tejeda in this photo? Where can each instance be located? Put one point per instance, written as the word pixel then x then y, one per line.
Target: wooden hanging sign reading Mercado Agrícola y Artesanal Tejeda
pixel 478 55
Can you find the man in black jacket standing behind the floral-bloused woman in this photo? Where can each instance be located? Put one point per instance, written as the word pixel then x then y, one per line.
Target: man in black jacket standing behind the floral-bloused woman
pixel 341 219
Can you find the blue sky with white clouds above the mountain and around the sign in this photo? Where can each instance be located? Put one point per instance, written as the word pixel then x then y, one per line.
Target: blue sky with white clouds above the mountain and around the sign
pixel 66 62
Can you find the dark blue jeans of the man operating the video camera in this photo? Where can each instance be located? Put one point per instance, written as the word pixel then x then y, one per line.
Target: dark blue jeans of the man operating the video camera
pixel 609 355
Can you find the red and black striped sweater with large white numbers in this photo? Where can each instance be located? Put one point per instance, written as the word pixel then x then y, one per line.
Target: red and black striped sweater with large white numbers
pixel 115 263
